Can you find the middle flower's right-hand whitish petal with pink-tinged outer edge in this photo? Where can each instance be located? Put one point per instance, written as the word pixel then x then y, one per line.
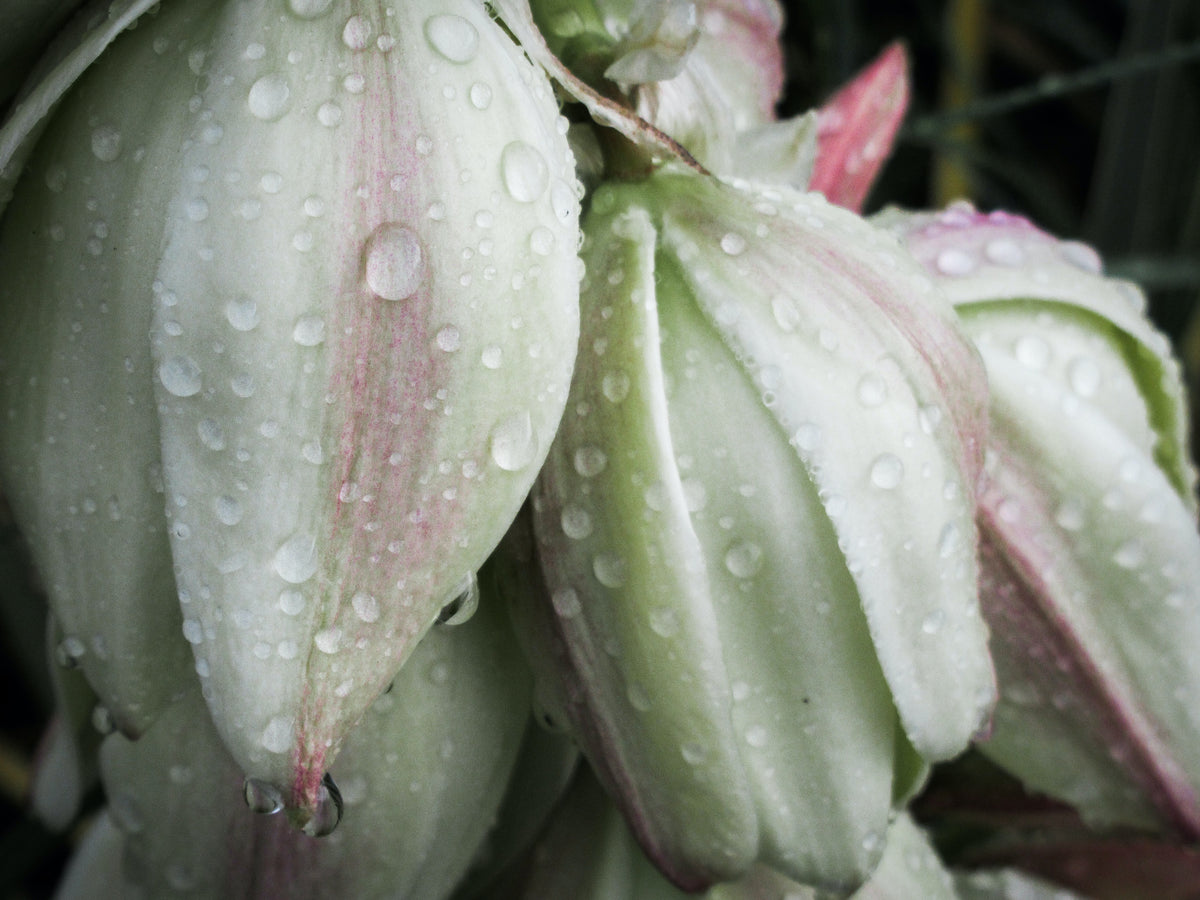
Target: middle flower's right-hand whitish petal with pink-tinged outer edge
pixel 867 375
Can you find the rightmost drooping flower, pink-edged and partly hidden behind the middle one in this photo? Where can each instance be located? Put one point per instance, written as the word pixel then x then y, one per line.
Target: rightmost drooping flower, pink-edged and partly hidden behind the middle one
pixel 1091 556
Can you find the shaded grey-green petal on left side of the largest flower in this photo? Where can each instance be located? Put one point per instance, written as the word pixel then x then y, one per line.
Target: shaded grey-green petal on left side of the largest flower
pixel 80 446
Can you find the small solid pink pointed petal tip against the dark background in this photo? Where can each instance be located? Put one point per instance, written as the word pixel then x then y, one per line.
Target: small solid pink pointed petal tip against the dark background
pixel 857 127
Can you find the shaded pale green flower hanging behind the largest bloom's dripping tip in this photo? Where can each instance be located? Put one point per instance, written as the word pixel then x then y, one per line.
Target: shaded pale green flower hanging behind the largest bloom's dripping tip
pixel 421 778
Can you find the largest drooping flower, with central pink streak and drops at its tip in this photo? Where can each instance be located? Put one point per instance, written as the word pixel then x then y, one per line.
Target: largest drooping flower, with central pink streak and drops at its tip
pixel 351 236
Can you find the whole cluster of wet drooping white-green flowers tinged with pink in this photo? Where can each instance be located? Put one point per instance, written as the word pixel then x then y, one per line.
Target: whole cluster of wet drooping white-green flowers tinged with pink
pixel 487 443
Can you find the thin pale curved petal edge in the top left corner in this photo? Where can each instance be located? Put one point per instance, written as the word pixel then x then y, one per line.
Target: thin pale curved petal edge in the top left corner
pixel 86 39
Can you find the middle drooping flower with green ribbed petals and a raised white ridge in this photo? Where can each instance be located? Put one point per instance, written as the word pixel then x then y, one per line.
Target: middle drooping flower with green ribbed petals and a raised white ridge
pixel 757 531
